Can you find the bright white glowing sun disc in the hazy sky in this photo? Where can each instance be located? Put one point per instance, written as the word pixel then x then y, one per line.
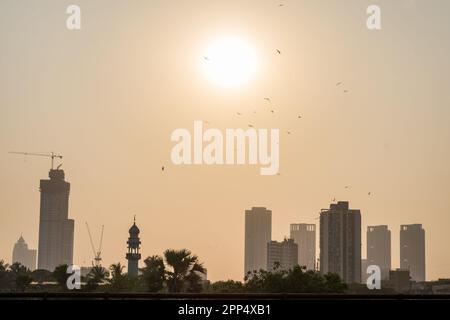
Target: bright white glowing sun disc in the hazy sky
pixel 230 62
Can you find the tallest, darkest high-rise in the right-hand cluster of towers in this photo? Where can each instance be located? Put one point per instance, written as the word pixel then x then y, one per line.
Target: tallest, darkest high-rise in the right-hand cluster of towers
pixel 340 242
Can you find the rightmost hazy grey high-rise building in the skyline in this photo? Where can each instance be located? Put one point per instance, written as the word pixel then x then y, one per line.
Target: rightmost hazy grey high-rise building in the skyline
pixel 412 250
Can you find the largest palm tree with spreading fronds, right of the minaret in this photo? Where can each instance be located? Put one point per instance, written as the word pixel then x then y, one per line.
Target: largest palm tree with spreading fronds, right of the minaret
pixel 185 271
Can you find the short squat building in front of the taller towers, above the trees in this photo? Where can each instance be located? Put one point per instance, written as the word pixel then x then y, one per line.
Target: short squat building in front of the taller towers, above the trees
pixel 282 255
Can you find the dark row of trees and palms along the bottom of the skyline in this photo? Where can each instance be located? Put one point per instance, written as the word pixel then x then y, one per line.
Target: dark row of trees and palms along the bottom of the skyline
pixel 175 271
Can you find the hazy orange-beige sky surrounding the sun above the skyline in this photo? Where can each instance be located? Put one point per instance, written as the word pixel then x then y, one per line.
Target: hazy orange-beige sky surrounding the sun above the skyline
pixel 109 95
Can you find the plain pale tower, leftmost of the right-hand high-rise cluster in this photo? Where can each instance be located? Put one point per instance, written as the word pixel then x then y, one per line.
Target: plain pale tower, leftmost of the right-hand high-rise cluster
pixel 258 232
